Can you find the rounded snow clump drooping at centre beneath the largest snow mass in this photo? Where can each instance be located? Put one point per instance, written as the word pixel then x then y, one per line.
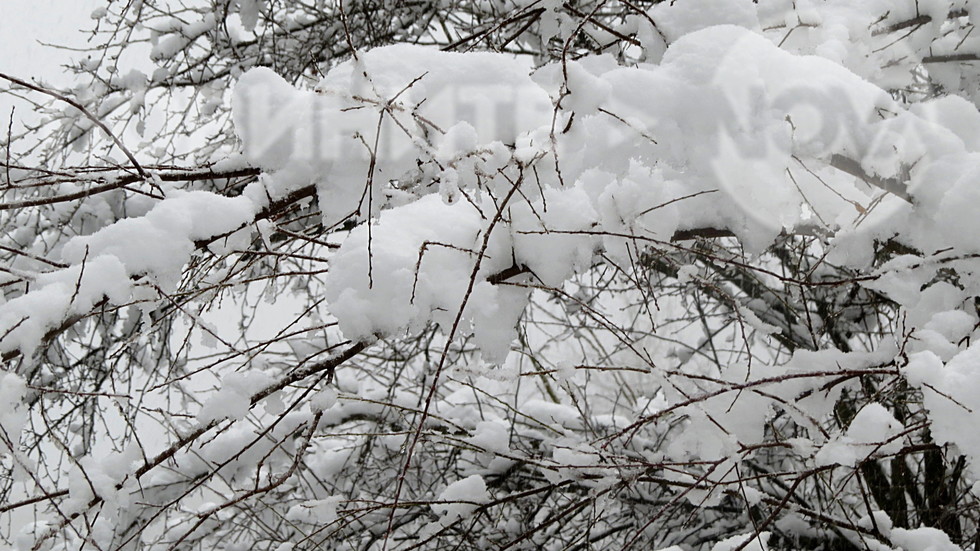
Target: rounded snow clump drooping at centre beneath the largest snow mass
pixel 417 267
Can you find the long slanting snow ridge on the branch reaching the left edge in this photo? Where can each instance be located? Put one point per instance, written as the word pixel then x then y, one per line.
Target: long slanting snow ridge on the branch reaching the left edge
pixel 105 264
